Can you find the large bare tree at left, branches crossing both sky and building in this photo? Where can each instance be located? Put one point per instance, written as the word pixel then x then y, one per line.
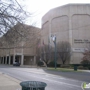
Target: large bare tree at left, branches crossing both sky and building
pixel 12 17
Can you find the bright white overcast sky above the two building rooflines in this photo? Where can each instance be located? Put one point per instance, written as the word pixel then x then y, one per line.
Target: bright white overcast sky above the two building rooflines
pixel 40 7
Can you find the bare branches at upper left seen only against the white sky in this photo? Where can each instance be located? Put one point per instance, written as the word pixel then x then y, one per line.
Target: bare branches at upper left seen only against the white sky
pixel 11 12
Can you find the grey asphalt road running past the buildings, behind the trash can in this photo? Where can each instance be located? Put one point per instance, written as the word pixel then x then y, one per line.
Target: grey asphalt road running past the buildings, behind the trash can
pixel 54 82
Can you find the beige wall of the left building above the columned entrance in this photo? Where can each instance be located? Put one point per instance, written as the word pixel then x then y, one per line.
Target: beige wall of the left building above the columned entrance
pixel 28 43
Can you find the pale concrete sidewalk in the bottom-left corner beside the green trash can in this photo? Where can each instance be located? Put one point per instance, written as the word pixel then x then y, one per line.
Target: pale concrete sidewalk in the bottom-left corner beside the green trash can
pixel 9 83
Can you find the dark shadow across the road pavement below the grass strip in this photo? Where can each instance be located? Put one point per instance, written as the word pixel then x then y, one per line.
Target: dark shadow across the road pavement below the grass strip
pixel 81 76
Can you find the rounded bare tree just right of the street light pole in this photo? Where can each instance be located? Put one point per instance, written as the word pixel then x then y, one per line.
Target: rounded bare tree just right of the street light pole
pixel 64 51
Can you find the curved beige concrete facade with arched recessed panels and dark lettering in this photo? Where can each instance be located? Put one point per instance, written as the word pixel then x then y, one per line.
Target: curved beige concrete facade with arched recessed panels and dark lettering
pixel 70 23
